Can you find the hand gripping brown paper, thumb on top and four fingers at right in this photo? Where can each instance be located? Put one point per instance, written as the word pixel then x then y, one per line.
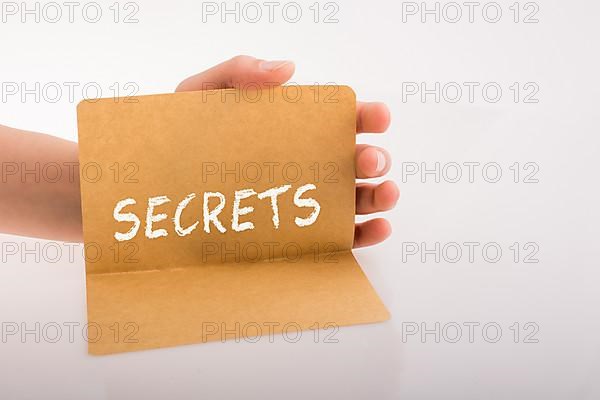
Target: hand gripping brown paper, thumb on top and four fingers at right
pixel 371 161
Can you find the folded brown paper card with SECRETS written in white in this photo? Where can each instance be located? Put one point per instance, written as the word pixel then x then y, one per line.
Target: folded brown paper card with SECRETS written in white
pixel 220 214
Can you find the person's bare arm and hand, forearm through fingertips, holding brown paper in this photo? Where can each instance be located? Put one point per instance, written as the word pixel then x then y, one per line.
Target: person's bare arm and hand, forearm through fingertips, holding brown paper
pixel 51 209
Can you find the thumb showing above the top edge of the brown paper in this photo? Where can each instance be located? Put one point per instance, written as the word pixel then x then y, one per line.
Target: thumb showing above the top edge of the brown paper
pixel 239 71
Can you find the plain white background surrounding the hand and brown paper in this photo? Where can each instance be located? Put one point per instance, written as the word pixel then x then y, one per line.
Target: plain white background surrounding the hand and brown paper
pixel 371 49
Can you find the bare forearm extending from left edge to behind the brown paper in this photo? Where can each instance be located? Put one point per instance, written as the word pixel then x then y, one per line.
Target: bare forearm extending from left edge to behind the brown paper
pixel 39 186
